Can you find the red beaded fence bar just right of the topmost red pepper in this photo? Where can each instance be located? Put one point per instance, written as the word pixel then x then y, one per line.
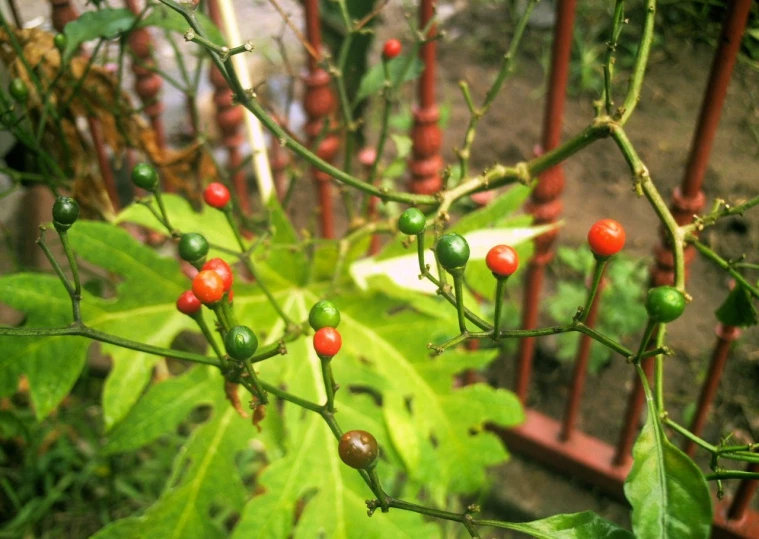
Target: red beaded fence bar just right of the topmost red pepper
pixel 427 138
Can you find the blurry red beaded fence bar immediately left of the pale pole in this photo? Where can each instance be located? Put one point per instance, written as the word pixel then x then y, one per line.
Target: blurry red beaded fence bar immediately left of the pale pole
pixel 229 119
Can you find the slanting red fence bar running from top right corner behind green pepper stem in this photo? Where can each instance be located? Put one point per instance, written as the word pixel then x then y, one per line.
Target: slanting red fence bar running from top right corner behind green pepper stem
pixel 689 199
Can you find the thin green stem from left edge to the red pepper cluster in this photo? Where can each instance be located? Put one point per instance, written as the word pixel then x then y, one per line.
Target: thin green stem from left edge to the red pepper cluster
pixel 81 330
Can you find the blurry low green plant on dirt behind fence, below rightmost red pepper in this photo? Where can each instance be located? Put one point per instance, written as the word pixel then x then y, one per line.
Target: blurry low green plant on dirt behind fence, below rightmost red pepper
pixel 621 311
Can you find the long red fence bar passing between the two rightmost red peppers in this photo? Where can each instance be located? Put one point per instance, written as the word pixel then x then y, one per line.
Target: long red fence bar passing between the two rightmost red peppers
pixel 545 204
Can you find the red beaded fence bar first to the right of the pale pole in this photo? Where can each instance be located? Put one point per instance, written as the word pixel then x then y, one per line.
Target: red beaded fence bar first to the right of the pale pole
pixel 319 103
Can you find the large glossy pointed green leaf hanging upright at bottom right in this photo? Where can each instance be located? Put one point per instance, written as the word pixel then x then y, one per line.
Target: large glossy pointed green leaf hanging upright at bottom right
pixel 667 491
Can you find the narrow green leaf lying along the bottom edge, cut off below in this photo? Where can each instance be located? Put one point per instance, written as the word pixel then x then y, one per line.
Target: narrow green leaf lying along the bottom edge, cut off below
pixel 585 525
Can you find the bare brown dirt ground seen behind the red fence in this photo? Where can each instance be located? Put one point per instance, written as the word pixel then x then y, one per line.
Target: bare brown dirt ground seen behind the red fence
pixel 598 185
